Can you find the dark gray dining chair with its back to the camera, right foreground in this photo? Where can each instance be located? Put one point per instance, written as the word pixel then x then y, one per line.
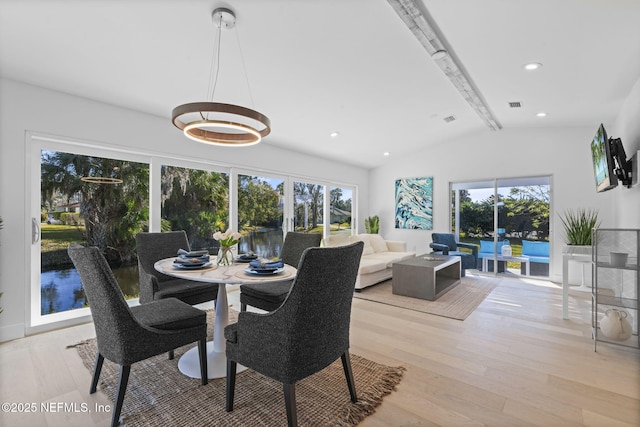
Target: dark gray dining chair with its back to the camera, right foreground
pixel 307 333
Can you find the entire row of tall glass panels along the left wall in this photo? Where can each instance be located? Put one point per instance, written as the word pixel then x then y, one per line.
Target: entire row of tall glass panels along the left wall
pixel 156 194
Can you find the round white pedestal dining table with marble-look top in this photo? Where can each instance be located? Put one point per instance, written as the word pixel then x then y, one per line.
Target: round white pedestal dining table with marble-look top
pixel 189 363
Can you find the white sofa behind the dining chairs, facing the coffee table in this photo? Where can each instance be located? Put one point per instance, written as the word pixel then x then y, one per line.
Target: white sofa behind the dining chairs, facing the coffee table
pixel 377 257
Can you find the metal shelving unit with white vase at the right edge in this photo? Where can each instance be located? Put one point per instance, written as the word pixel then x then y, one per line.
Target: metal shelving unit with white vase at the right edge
pixel 615 285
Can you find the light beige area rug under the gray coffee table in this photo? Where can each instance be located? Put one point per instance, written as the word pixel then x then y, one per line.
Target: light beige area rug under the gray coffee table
pixel 458 303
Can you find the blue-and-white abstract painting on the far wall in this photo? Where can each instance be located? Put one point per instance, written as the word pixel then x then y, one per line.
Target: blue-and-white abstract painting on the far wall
pixel 414 203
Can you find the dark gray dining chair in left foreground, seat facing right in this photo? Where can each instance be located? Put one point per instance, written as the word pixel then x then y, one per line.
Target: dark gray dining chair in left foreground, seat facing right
pixel 126 334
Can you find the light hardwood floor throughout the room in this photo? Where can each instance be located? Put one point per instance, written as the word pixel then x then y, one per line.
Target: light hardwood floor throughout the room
pixel 513 362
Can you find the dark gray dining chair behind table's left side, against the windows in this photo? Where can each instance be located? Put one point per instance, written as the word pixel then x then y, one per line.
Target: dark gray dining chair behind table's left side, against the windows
pixel 152 247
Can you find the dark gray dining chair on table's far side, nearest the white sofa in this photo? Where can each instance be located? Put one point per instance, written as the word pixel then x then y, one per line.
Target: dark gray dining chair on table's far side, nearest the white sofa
pixel 269 296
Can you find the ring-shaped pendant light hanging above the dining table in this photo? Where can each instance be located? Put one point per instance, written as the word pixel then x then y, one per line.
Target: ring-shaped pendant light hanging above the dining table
pixel 217 123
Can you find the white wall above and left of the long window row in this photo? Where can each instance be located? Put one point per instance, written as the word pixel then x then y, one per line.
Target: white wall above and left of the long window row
pixel 27 108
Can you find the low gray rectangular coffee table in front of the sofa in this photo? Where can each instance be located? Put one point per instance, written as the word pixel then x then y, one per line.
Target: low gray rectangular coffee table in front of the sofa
pixel 426 276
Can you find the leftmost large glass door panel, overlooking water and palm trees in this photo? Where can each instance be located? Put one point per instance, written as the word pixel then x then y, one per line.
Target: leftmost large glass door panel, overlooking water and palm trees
pixel 85 196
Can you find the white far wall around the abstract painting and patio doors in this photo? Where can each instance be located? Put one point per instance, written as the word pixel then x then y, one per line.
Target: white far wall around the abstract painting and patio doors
pixel 562 153
